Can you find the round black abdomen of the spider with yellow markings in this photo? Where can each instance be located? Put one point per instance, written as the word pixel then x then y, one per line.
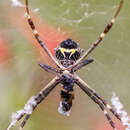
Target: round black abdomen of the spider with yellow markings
pixel 68 52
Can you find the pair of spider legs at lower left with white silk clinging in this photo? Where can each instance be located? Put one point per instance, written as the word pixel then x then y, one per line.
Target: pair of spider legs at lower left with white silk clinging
pixel 33 103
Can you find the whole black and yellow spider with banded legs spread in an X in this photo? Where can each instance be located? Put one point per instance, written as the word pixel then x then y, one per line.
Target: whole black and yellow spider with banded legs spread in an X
pixel 68 58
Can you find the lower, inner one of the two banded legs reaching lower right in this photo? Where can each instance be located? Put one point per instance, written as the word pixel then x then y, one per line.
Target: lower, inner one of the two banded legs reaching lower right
pixel 97 101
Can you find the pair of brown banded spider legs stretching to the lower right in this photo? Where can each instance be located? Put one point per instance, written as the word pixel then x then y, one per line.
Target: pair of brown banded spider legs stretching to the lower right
pixel 98 100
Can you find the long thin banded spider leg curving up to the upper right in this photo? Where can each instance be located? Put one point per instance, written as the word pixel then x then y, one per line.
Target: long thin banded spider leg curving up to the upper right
pixel 102 35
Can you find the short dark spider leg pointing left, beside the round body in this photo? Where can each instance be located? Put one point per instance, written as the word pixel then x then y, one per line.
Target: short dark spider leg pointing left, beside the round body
pixel 49 68
